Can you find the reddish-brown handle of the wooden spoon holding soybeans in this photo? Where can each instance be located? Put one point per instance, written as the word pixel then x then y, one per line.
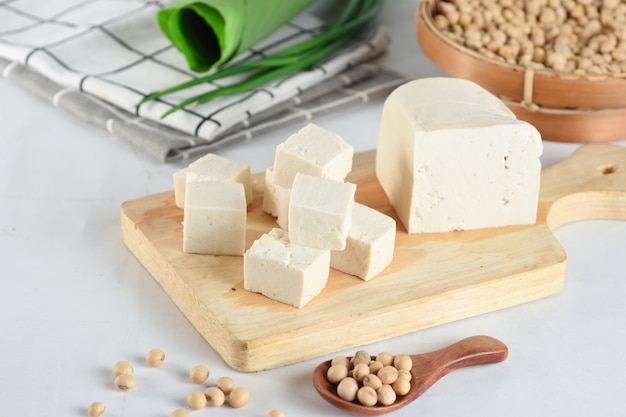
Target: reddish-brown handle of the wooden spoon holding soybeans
pixel 428 368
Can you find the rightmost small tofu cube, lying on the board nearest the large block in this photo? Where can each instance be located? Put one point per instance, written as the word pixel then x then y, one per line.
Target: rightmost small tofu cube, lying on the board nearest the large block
pixel 369 246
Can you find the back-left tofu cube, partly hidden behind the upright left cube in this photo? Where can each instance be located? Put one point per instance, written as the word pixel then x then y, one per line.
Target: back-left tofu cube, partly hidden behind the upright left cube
pixel 216 168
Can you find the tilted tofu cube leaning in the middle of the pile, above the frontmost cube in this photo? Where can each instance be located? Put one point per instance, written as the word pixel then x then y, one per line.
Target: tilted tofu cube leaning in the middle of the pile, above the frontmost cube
pixel 320 211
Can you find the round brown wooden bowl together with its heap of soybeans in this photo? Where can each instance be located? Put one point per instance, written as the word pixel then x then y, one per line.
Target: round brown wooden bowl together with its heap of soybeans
pixel 558 64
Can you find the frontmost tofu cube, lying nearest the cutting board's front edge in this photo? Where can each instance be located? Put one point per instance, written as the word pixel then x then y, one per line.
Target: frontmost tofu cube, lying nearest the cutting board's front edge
pixel 283 271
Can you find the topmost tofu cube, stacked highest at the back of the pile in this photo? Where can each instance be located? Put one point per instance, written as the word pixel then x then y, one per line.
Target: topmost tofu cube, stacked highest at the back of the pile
pixel 313 151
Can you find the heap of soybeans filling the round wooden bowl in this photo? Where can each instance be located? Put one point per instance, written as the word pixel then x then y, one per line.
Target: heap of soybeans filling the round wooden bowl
pixel 583 37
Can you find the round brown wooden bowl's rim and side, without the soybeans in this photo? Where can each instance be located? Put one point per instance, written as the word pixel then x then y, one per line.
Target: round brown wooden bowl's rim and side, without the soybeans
pixel 563 107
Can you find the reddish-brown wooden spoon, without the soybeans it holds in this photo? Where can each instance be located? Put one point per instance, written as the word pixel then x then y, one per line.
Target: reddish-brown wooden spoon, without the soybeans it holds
pixel 427 369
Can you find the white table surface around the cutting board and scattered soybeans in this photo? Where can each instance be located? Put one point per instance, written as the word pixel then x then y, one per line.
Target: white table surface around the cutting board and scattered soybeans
pixel 74 300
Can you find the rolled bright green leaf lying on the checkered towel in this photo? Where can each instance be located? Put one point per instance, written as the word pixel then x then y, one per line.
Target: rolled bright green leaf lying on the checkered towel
pixel 209 33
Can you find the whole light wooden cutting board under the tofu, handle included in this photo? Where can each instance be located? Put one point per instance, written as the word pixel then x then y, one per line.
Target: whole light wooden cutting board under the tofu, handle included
pixel 434 278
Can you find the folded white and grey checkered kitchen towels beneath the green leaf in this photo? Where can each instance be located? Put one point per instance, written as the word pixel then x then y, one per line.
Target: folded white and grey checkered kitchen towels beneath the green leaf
pixel 98 58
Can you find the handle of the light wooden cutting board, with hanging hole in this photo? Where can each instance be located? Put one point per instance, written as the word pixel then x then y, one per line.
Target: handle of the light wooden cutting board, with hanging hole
pixel 589 185
